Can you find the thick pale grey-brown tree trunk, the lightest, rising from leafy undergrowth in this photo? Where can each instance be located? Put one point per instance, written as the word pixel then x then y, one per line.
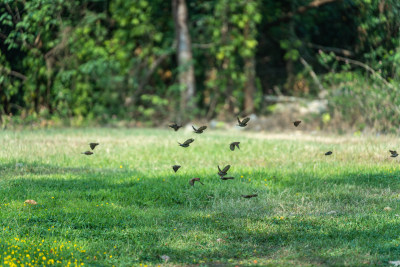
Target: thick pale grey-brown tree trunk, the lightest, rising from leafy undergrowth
pixel 185 59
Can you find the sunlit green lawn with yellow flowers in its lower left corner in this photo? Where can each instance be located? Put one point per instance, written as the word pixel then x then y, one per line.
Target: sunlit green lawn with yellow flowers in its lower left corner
pixel 125 206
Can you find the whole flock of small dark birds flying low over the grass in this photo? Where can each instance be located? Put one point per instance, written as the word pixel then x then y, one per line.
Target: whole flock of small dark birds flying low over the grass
pixel 224 172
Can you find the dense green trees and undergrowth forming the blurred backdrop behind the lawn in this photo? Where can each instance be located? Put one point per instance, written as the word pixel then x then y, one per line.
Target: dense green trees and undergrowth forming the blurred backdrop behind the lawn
pixel 98 60
